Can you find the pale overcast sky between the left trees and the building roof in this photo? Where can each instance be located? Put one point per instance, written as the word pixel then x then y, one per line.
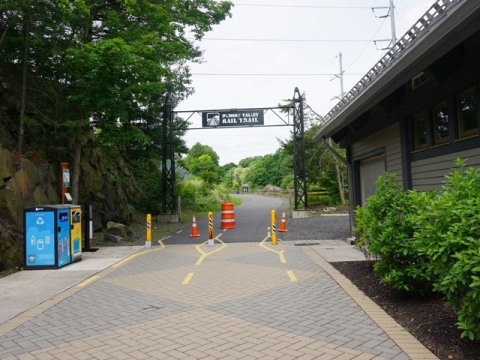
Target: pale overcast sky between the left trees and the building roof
pixel 252 60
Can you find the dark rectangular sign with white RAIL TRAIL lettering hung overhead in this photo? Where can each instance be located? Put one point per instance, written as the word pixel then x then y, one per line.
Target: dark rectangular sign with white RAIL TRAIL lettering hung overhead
pixel 244 117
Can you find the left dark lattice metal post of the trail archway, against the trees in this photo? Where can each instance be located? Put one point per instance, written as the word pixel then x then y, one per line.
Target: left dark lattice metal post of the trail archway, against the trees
pixel 169 204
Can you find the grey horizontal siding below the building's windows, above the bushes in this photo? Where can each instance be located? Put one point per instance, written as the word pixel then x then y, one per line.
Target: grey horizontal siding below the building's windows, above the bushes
pixel 429 174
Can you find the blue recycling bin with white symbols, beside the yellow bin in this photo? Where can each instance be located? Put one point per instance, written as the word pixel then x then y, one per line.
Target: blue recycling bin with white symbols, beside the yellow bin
pixel 47 236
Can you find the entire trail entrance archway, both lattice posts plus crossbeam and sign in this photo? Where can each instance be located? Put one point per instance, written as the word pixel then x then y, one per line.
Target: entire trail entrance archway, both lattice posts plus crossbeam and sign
pixel 233 118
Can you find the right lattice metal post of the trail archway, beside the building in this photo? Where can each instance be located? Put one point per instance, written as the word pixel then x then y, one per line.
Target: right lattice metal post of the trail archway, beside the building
pixel 299 169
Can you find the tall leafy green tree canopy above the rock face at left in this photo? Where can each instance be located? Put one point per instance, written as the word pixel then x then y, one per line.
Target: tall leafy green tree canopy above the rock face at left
pixel 67 65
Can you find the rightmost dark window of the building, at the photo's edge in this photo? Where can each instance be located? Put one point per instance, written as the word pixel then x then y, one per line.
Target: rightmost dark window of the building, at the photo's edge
pixel 467 114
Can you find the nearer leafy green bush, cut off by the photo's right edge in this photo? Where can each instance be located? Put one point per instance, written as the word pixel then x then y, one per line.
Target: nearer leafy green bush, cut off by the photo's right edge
pixel 449 235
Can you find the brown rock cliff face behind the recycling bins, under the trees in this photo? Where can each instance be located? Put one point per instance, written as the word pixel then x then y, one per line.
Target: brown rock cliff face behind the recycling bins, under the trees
pixel 30 180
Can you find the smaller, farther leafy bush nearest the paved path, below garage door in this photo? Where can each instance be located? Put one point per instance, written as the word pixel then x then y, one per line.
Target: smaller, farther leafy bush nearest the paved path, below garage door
pixel 385 229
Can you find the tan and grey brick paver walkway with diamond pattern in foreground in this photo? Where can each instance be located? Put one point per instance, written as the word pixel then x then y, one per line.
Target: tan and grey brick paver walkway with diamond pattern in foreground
pixel 240 303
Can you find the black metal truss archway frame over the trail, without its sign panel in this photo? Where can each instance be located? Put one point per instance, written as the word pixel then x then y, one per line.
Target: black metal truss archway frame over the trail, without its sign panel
pixel 169 204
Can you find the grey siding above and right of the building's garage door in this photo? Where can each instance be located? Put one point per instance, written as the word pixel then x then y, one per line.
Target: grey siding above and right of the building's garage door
pixel 387 139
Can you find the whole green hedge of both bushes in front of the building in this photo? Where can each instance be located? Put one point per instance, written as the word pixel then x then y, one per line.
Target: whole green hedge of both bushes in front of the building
pixel 426 240
